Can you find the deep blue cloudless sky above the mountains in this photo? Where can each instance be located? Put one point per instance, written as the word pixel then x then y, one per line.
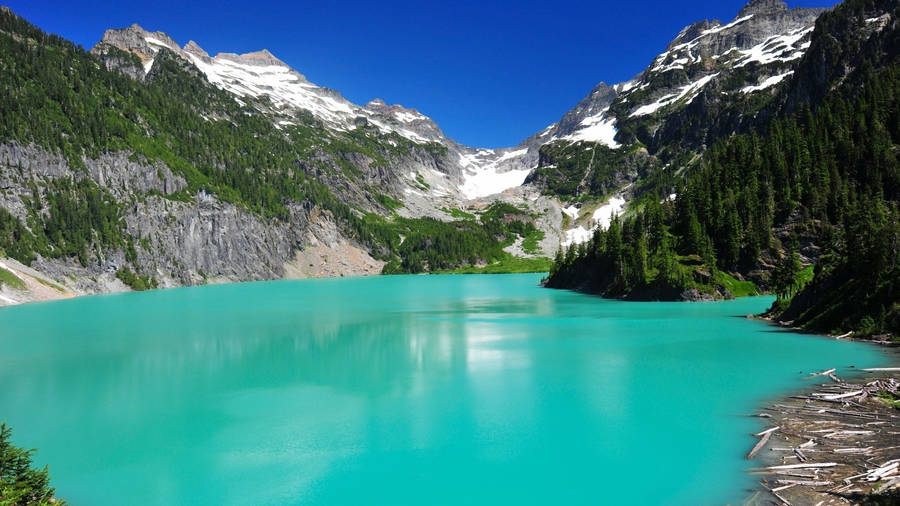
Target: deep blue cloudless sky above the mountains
pixel 490 73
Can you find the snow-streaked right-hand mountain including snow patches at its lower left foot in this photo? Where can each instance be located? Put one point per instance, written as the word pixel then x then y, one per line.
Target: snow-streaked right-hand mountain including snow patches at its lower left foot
pixel 712 80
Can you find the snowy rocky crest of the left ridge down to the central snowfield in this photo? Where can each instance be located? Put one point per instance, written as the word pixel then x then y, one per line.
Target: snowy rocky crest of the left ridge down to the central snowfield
pixel 287 95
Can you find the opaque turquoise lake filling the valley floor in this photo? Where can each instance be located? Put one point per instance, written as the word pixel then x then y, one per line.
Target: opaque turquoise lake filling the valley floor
pixel 397 390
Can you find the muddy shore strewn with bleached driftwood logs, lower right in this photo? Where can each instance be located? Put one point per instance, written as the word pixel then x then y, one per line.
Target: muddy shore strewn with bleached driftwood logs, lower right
pixel 834 442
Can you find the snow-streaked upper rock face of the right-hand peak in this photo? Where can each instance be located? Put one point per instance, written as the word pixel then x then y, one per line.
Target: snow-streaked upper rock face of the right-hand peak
pixel 701 88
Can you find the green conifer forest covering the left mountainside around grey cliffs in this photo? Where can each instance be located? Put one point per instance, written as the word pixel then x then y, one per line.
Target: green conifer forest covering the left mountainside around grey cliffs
pixel 60 97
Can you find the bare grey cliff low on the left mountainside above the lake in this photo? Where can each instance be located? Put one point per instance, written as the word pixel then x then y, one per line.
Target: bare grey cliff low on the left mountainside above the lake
pixel 177 242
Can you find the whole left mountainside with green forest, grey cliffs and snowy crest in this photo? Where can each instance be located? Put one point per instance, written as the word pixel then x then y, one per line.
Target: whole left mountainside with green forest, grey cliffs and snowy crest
pixel 144 164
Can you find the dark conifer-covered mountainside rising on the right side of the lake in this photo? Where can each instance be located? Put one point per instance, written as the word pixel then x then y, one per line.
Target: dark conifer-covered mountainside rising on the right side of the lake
pixel 801 198
